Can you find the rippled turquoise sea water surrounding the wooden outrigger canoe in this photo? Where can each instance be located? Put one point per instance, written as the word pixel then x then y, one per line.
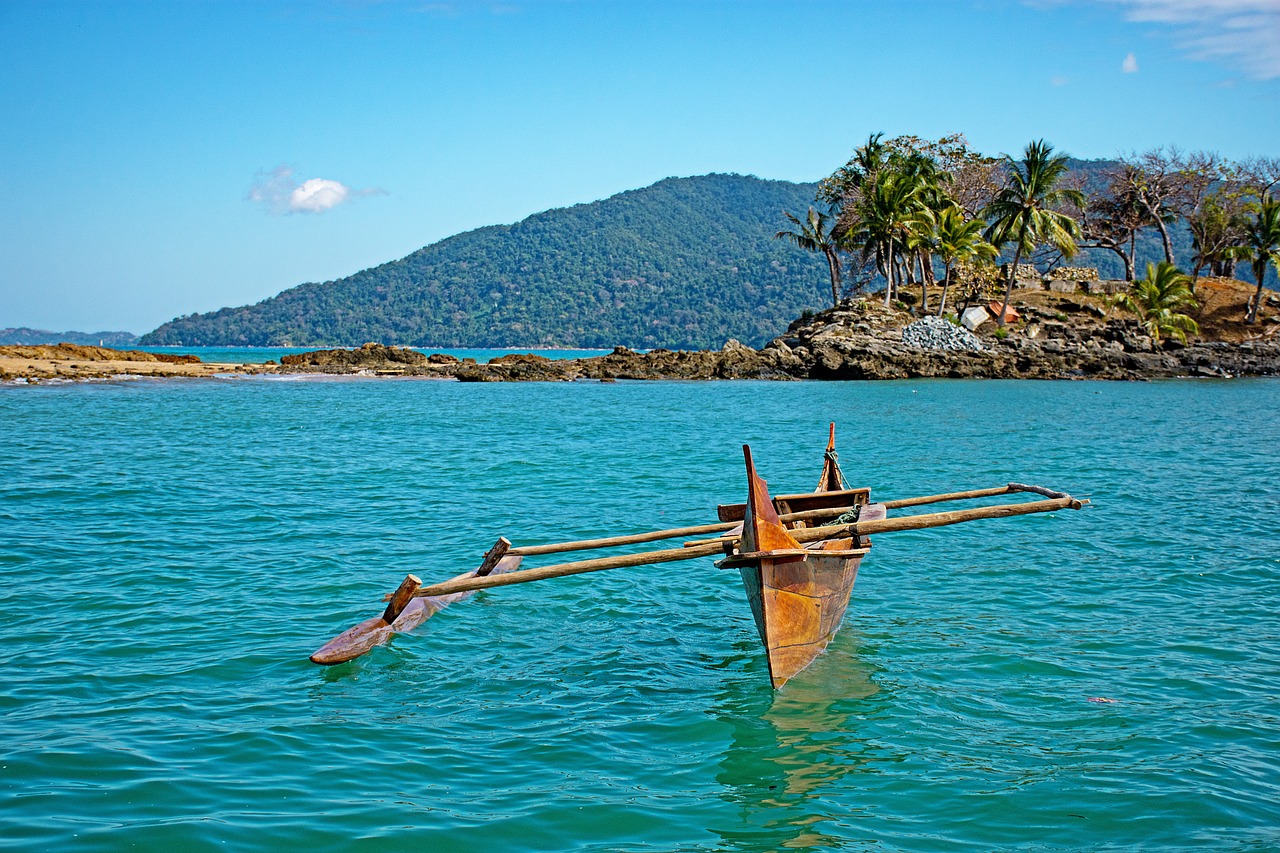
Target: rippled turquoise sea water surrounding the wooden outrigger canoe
pixel 171 553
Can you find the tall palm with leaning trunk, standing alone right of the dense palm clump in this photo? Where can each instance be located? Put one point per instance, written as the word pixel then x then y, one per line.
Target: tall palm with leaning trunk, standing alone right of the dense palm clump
pixel 1023 211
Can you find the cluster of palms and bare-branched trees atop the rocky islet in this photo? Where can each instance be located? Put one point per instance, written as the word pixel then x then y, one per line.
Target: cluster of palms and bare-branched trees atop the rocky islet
pixel 907 206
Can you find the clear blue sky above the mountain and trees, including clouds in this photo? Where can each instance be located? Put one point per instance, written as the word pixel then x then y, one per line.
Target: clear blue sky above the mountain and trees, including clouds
pixel 166 158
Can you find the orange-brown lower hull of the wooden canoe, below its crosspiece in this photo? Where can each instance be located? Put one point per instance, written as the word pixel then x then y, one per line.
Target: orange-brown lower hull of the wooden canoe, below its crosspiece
pixel 799 605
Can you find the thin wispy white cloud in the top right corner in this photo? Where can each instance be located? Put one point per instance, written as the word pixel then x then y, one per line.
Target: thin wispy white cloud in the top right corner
pixel 1244 35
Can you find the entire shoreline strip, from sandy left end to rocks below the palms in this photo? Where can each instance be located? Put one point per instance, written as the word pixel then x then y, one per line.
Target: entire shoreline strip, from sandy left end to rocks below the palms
pixel 1057 337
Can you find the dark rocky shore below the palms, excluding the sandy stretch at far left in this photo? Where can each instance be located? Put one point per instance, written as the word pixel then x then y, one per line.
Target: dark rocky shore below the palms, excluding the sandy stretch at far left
pixel 857 341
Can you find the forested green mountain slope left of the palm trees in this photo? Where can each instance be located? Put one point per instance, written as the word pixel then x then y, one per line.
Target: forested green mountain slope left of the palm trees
pixel 687 263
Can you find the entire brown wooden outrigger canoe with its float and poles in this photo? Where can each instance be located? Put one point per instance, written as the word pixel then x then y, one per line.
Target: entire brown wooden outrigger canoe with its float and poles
pixel 798 555
